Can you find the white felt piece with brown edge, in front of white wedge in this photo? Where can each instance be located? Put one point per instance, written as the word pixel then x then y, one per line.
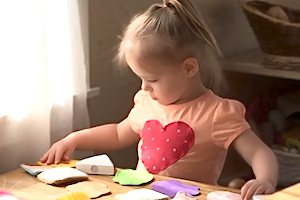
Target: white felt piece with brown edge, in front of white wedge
pixel 61 175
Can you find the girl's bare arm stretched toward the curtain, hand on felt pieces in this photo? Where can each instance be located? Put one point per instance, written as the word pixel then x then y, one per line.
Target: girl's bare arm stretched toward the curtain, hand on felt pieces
pixel 104 137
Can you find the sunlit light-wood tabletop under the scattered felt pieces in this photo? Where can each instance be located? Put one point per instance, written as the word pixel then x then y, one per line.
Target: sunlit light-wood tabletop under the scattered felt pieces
pixel 27 187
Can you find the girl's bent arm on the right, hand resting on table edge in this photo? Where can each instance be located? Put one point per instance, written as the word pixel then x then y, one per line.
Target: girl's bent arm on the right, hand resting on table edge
pixel 263 162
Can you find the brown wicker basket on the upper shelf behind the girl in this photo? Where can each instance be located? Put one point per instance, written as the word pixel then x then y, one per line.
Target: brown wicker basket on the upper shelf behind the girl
pixel 278 33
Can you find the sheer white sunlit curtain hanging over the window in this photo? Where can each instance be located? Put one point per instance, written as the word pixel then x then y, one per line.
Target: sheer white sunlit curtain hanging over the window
pixel 43 76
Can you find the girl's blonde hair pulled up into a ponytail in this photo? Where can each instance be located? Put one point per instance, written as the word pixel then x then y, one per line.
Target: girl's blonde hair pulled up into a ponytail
pixel 174 31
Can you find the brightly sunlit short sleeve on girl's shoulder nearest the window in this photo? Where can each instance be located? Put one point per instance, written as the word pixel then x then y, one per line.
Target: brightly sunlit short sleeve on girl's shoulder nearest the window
pixel 136 112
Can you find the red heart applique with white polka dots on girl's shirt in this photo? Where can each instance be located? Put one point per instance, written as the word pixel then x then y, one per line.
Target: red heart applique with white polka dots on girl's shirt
pixel 163 146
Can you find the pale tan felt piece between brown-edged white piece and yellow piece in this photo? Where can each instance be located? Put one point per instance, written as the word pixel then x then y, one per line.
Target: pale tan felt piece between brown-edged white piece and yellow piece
pixel 92 189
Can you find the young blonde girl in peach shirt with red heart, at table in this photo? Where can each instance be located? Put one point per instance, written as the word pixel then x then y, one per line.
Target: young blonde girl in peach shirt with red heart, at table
pixel 183 128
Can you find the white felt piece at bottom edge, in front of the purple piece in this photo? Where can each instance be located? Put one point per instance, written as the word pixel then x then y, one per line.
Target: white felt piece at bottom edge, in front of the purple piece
pixel 141 194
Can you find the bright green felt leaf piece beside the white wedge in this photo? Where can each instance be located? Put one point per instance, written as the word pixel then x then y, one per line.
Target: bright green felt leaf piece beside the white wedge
pixel 132 177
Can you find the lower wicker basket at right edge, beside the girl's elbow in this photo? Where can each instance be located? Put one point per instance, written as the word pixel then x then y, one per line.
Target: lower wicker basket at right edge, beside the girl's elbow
pixel 289 168
